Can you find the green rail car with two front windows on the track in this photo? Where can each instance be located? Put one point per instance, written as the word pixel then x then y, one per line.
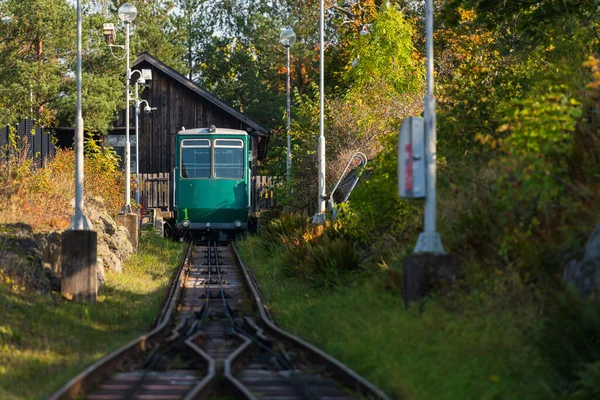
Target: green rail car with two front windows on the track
pixel 212 179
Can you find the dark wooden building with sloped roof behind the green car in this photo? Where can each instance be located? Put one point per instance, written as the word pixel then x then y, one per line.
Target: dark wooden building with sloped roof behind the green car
pixel 180 103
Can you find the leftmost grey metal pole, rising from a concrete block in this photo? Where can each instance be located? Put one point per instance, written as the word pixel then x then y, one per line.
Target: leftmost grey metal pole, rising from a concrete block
pixel 79 221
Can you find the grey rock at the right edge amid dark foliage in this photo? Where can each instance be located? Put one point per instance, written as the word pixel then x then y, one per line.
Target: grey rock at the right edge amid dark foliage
pixel 585 274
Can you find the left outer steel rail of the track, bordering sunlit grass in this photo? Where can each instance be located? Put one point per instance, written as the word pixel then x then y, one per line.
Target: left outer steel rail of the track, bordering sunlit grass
pixel 95 372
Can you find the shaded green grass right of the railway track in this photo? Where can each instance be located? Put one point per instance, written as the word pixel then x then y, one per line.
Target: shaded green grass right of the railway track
pixel 432 352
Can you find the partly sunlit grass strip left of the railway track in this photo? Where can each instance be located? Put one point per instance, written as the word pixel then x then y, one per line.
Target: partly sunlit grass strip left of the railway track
pixel 46 340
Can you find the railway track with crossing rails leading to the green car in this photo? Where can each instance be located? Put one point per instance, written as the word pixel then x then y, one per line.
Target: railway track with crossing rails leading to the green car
pixel 215 339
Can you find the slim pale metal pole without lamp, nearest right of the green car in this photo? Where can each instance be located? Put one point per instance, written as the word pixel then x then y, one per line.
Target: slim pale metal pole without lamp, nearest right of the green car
pixel 321 152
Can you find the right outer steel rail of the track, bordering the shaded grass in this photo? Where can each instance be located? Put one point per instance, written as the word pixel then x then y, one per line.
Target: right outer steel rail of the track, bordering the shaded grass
pixel 340 371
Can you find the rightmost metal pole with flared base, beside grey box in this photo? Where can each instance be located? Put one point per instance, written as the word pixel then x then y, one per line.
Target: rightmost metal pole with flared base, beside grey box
pixel 429 241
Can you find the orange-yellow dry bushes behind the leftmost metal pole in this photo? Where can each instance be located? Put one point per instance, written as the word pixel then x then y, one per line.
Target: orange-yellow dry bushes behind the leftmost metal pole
pixel 41 197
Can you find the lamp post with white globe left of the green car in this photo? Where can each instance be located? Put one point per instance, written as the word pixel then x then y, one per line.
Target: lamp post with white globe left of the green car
pixel 127 13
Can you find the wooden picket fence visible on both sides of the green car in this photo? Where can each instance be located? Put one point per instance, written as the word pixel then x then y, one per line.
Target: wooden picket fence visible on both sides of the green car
pixel 155 192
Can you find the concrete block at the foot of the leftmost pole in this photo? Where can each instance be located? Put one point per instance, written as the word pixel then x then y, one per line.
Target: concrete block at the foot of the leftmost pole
pixel 79 275
